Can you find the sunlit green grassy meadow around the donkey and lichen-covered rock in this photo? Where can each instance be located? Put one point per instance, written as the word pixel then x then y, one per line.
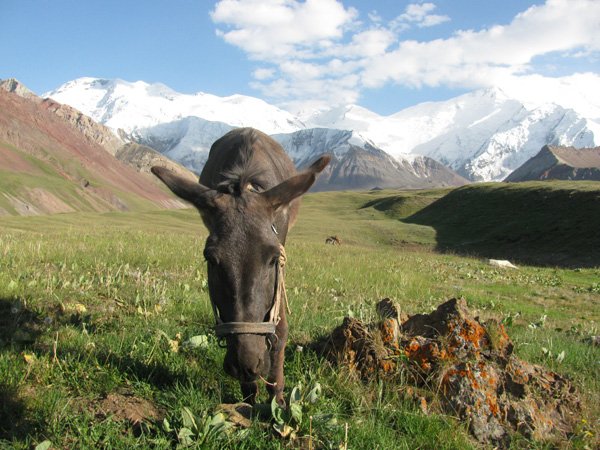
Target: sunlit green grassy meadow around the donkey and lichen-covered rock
pixel 106 342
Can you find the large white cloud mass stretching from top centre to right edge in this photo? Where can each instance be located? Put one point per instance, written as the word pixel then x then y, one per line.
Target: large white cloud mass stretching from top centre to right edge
pixel 318 52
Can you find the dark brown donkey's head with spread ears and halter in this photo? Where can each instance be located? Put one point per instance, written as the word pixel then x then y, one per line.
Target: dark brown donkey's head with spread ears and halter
pixel 246 228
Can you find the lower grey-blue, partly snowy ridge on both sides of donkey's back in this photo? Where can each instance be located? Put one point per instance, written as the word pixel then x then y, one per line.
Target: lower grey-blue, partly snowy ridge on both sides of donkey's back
pixel 356 163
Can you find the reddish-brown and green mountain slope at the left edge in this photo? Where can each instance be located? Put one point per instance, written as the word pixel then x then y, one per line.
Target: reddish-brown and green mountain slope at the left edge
pixel 48 165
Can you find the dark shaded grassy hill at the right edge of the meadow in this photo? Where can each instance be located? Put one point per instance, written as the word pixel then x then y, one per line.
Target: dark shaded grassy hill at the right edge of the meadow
pixel 548 223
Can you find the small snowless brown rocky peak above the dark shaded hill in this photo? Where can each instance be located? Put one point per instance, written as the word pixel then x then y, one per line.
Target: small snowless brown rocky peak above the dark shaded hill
pixel 560 163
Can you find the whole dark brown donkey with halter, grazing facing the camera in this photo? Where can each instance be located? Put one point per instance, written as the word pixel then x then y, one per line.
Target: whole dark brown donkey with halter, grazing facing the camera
pixel 248 196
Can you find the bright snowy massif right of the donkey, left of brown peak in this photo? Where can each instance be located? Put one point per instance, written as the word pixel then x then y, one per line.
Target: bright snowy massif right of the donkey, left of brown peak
pixel 483 135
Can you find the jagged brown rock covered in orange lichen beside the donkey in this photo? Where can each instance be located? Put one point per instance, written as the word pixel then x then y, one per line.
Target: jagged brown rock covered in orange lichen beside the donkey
pixel 466 368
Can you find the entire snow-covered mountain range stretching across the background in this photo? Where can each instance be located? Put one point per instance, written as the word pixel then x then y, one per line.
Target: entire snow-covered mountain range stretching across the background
pixel 483 135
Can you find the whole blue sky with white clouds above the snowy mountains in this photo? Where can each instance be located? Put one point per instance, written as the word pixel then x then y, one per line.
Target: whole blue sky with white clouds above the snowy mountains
pixel 384 55
